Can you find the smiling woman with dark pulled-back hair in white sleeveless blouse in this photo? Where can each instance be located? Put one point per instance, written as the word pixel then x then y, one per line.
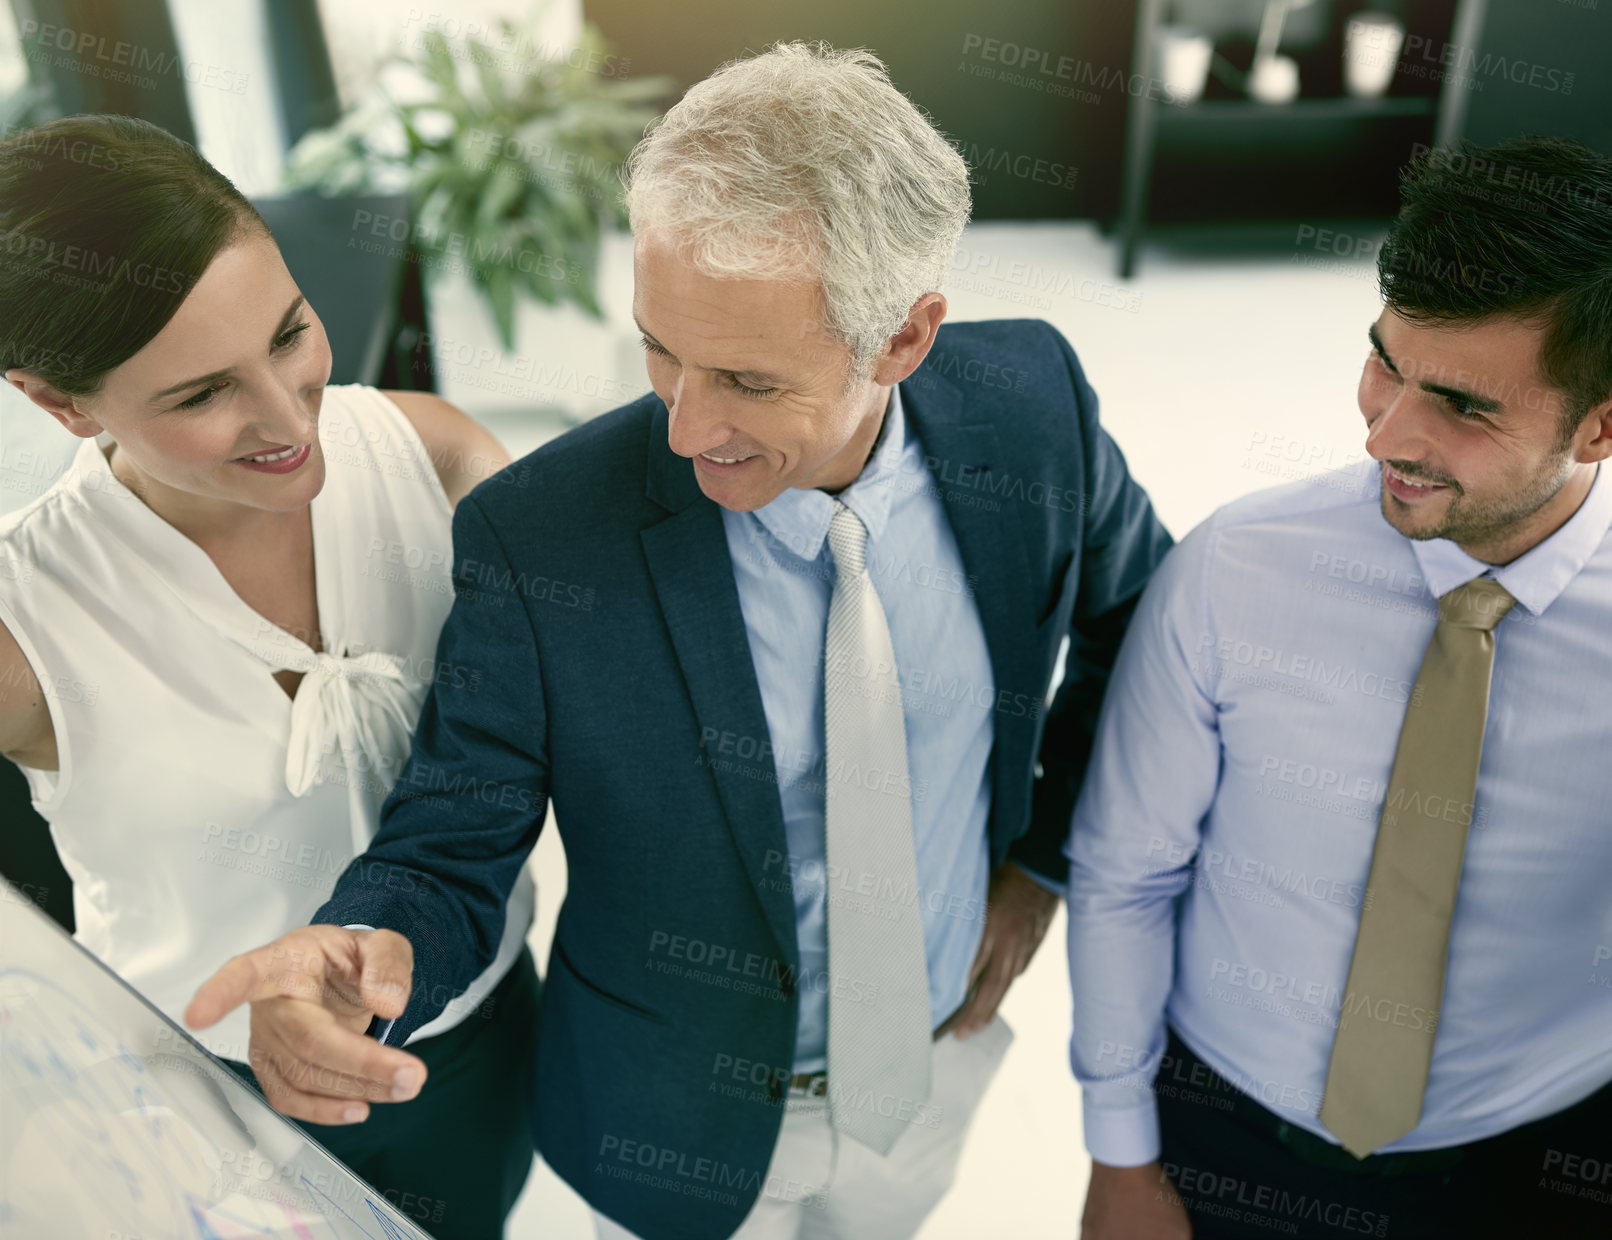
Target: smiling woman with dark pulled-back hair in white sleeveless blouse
pixel 223 622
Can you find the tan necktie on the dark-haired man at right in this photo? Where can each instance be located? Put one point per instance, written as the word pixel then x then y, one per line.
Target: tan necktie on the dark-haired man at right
pixel 1384 1049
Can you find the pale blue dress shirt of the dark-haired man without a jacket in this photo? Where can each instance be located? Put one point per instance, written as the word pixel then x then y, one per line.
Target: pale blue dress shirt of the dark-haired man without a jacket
pixel 1226 830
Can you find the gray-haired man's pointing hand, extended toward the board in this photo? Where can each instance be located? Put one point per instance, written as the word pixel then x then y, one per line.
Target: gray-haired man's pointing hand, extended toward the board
pixel 312 994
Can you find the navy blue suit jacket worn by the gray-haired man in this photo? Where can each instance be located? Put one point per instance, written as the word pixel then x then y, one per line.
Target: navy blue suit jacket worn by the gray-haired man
pixel 597 602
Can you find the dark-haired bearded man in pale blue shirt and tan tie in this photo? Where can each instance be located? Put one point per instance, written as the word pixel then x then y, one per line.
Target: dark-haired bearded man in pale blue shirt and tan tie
pixel 1340 902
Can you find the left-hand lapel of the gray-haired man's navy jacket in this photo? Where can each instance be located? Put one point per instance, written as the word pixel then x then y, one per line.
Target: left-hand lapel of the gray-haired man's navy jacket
pixel 694 581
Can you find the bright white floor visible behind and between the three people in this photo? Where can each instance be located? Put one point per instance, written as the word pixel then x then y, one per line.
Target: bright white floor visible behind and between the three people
pixel 1218 375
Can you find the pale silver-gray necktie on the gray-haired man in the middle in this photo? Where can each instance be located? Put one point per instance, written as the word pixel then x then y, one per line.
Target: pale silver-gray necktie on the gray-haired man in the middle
pixel 879 1015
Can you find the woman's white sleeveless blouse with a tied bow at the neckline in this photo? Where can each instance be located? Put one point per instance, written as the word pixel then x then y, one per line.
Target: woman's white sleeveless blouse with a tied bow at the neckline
pixel 199 810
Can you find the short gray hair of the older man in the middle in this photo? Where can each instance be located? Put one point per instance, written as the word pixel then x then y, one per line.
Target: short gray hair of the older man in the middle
pixel 807 164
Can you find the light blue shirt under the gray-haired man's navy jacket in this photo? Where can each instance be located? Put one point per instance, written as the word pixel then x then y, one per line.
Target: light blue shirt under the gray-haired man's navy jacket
pixel 786 578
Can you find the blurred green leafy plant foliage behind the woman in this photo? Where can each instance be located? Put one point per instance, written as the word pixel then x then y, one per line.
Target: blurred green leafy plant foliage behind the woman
pixel 512 160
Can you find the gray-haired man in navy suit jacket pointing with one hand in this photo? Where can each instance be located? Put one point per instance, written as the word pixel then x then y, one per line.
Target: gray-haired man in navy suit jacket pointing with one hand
pixel 805 649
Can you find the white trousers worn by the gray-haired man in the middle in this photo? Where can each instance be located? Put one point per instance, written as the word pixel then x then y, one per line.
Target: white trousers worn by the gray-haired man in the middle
pixel 823 1186
